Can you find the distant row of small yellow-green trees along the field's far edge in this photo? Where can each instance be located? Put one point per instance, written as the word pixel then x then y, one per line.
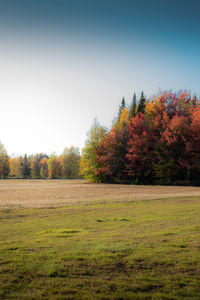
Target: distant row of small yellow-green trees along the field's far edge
pixel 40 165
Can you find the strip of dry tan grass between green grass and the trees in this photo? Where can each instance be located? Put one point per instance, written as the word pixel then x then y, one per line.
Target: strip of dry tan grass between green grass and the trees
pixel 57 193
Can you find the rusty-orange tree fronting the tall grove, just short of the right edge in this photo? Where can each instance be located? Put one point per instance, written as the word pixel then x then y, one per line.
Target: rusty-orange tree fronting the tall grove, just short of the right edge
pixel 170 166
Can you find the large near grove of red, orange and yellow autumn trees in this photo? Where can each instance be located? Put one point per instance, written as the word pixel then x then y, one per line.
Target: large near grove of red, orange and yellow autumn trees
pixel 152 141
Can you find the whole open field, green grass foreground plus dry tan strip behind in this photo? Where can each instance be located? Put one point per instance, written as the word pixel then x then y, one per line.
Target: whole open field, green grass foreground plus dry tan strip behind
pixel 67 239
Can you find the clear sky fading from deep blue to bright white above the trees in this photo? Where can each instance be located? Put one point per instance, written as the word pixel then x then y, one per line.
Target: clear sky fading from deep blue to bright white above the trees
pixel 65 62
